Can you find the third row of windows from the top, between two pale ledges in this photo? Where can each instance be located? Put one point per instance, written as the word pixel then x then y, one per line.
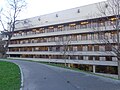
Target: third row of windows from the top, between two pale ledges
pixel 61 48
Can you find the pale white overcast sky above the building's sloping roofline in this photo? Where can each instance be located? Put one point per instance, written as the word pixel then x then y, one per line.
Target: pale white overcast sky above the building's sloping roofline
pixel 41 7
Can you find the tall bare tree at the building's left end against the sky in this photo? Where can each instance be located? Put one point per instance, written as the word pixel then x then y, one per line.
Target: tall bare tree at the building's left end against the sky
pixel 9 18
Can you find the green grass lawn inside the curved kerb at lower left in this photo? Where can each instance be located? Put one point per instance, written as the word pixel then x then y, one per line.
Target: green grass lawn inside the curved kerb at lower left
pixel 9 76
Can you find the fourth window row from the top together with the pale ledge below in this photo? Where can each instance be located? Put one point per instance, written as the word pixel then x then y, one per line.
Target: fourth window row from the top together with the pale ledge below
pixel 108 60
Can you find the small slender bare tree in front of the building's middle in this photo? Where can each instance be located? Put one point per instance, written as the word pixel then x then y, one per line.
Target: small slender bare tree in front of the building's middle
pixel 63 46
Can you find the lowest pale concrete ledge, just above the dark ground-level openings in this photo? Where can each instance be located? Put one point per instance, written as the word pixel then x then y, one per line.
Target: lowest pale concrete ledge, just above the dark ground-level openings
pixel 81 62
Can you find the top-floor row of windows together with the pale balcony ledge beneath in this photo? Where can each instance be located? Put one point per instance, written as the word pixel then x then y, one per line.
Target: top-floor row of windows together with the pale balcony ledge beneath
pixel 74 26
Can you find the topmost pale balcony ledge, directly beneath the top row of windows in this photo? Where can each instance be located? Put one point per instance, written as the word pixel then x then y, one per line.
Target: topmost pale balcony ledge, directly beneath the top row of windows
pixel 83 29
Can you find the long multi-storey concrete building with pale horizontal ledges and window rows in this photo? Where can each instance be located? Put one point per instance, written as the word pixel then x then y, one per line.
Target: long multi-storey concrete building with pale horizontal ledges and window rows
pixel 35 39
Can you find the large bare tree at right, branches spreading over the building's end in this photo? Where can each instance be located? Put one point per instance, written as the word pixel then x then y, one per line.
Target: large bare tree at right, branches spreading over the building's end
pixel 109 13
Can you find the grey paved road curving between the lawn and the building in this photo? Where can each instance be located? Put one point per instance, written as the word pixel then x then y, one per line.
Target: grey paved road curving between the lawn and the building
pixel 43 77
